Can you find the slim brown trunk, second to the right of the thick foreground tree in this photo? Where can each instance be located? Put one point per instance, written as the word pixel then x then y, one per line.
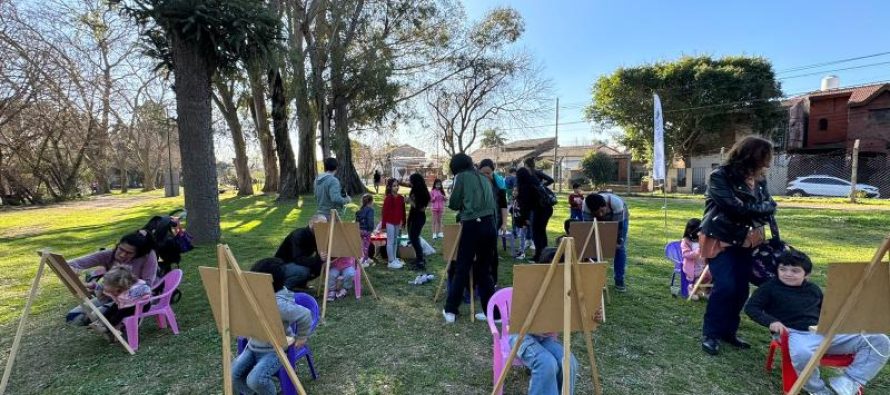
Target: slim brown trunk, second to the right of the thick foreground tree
pixel 261 120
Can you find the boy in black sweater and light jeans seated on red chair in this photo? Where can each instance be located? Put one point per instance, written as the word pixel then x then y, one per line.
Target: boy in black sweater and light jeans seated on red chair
pixel 791 303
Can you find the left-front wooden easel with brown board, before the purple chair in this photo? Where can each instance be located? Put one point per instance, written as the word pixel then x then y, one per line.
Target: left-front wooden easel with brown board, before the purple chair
pixel 255 319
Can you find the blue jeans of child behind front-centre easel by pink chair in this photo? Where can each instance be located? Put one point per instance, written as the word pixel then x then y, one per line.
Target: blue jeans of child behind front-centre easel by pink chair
pixel 543 355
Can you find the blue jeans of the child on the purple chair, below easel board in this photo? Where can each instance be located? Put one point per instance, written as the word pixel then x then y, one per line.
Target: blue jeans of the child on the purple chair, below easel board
pixel 252 372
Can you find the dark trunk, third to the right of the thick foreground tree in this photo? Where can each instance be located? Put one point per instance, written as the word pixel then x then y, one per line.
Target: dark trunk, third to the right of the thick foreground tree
pixel 287 186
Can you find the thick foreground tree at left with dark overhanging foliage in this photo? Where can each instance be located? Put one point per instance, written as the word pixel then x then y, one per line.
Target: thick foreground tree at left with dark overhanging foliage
pixel 196 39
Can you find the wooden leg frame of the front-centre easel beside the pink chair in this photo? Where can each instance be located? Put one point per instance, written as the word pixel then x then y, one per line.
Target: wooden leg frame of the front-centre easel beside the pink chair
pixel 573 296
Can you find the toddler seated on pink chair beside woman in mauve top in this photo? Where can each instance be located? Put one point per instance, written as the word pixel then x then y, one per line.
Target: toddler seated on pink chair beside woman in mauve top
pixel 125 290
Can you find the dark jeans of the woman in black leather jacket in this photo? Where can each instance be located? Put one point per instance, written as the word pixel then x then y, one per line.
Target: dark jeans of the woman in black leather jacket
pixel 730 271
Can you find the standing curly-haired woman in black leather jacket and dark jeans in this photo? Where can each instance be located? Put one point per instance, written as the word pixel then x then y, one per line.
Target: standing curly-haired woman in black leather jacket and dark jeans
pixel 737 207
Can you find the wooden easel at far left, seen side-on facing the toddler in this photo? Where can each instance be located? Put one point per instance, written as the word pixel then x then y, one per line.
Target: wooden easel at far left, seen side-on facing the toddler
pixel 58 265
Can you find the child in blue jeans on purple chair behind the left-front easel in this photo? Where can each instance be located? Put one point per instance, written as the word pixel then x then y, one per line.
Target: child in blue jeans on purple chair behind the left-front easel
pixel 253 370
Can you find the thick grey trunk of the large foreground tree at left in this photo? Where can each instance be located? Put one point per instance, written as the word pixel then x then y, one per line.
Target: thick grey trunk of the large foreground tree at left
pixel 193 73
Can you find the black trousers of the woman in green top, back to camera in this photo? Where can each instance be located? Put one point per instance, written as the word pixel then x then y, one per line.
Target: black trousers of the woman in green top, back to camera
pixel 478 239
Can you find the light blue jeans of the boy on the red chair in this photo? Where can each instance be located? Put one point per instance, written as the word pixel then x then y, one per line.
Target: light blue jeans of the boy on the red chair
pixel 866 364
